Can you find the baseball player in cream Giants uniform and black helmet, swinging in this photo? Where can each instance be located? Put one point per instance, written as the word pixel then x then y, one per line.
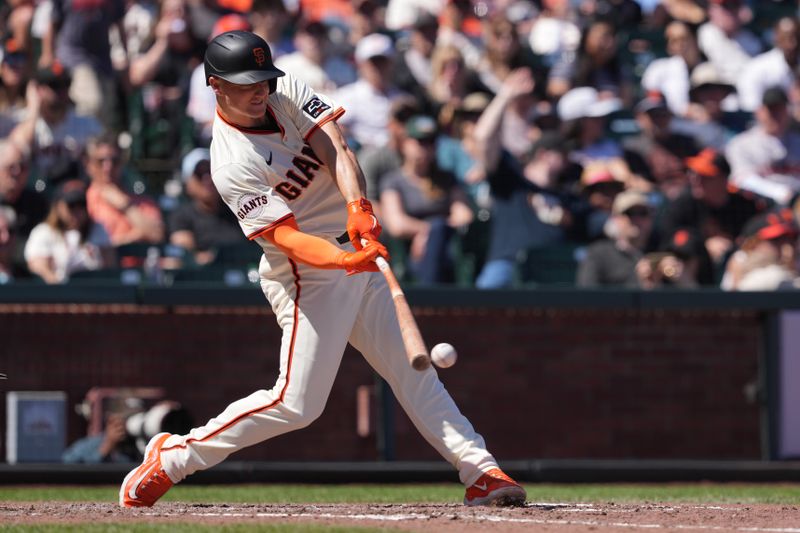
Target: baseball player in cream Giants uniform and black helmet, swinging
pixel 280 162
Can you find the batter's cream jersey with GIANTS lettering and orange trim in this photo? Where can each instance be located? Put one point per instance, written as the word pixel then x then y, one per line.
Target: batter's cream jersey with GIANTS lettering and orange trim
pixel 266 176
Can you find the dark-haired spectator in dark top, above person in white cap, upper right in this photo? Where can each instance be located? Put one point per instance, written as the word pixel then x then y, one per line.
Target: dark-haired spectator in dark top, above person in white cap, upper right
pixel 596 64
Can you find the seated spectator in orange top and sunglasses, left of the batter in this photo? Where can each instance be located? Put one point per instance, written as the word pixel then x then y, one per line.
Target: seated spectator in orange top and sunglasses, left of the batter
pixel 126 217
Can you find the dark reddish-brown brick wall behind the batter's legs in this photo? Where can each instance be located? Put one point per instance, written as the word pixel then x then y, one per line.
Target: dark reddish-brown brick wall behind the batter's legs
pixel 537 383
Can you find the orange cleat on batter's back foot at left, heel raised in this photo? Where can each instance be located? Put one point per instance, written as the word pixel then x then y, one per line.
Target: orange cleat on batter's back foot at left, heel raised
pixel 146 483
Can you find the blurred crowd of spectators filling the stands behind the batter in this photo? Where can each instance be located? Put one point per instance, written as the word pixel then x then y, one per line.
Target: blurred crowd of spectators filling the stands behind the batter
pixel 599 143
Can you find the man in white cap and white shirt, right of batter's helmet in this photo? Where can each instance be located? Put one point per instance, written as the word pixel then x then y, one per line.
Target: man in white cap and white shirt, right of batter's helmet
pixel 369 98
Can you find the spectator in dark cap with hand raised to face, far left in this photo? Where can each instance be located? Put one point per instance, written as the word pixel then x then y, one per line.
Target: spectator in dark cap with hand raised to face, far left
pixel 56 134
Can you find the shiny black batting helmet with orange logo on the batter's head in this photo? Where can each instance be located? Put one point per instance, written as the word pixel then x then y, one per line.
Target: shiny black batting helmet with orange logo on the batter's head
pixel 240 57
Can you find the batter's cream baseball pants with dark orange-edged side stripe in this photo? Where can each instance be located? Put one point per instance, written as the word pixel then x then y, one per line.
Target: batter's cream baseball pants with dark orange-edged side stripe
pixel 320 311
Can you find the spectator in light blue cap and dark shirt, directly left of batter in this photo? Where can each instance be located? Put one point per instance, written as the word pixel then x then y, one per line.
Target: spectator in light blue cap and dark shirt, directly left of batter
pixel 203 223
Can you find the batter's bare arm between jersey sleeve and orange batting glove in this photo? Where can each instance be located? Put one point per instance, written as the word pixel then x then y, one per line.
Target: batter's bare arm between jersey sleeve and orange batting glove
pixel 330 145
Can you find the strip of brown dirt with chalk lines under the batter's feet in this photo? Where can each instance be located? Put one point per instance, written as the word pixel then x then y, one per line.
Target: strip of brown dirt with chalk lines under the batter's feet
pixel 559 518
